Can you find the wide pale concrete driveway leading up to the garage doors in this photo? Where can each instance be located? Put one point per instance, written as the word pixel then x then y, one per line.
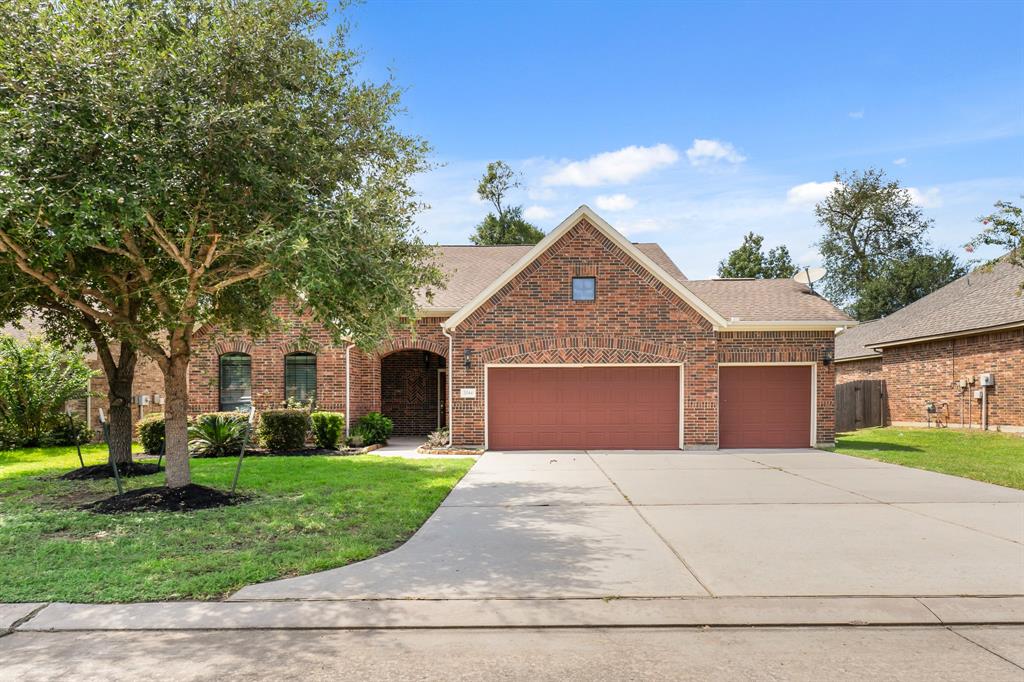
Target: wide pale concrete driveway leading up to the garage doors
pixel 733 524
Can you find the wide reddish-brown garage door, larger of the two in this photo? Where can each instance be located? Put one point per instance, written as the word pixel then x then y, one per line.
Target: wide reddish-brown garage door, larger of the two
pixel 583 408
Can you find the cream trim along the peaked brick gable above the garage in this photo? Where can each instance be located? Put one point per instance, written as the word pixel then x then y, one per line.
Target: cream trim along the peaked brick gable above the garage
pixel 670 280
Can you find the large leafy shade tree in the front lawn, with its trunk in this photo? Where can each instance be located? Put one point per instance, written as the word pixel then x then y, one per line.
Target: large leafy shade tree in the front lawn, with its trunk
pixel 166 165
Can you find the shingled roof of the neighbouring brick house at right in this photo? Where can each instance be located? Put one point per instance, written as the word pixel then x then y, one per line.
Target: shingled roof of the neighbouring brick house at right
pixel 988 299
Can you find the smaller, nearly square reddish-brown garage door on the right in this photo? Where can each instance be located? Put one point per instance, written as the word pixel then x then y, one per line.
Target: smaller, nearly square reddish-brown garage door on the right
pixel 765 407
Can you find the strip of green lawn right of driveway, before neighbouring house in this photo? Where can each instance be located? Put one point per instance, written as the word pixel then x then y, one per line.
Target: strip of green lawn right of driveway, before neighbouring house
pixel 995 458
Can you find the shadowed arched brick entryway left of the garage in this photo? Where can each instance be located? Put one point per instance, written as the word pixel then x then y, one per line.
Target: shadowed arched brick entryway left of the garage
pixel 414 392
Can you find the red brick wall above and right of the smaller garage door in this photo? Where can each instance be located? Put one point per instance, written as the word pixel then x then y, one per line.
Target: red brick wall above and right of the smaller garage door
pixel 791 348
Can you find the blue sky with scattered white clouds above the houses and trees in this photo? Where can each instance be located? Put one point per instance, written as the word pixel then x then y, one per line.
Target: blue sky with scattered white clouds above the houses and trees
pixel 690 124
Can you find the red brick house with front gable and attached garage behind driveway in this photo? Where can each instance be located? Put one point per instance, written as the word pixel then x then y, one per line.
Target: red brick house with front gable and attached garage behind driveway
pixel 582 342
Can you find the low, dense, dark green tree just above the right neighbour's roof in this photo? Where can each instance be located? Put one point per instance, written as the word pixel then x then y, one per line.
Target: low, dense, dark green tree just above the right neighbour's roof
pixel 903 283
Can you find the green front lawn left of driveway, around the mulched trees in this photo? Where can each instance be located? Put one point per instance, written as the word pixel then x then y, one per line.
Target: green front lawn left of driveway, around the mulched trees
pixel 309 514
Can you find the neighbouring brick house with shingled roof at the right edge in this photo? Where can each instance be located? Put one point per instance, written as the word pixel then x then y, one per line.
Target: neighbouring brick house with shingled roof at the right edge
pixel 971 327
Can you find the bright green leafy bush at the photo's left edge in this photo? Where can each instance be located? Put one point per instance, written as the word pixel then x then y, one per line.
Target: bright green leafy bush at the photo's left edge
pixel 37 379
